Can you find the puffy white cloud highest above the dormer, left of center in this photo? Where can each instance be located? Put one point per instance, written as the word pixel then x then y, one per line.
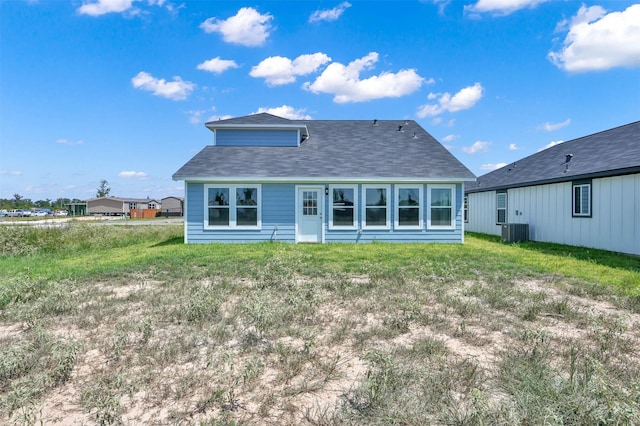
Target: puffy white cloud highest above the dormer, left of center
pixel 247 27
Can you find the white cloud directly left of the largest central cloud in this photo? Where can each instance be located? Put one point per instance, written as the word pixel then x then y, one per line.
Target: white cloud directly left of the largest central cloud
pixel 278 70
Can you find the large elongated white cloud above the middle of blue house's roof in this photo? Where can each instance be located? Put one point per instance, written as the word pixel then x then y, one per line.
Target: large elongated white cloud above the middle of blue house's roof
pixel 344 81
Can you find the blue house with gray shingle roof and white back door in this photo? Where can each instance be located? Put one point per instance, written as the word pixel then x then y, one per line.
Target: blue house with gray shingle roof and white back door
pixel 268 178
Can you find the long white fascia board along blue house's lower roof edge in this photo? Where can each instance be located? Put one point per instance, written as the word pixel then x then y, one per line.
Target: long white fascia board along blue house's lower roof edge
pixel 304 179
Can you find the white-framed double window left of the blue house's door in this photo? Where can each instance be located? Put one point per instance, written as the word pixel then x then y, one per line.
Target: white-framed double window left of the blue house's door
pixel 232 206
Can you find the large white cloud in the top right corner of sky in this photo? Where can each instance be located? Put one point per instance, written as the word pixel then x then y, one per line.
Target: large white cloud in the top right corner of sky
pixel 598 41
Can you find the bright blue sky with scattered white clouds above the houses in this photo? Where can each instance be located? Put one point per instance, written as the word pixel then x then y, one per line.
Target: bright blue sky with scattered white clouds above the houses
pixel 120 89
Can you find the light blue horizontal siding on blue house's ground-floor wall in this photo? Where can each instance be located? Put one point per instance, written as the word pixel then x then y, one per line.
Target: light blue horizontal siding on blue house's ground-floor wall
pixel 278 220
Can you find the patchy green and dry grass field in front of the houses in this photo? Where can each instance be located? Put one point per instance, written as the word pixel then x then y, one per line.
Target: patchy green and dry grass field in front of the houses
pixel 127 325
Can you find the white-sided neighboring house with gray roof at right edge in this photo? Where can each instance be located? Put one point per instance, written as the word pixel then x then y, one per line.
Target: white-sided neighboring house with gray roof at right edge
pixel 583 192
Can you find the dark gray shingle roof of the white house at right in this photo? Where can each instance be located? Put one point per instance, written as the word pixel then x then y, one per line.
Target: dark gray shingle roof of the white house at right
pixel 608 153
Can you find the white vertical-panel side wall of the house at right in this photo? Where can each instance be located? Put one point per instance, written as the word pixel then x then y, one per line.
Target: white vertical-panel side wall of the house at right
pixel 614 225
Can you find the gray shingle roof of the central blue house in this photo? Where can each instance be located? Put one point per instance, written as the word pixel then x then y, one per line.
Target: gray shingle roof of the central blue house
pixel 335 149
